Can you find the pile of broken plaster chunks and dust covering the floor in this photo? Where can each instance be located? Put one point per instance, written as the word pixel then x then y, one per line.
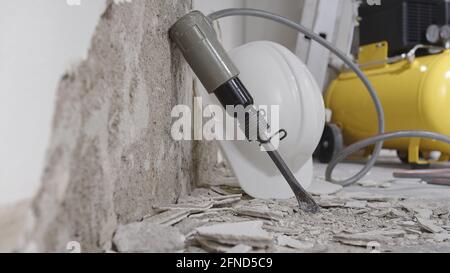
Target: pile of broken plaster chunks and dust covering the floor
pixel 223 219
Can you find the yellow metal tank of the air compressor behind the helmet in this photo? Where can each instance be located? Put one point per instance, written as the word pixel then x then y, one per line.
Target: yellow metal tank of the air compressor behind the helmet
pixel 415 95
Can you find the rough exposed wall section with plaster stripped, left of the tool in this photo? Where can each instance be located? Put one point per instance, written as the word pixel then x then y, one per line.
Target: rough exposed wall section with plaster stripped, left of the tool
pixel 111 156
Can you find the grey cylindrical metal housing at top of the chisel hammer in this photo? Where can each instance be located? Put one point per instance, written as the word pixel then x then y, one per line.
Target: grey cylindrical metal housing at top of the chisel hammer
pixel 196 38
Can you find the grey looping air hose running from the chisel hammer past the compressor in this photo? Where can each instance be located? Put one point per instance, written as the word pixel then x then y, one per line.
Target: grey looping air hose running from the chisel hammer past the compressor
pixel 378 139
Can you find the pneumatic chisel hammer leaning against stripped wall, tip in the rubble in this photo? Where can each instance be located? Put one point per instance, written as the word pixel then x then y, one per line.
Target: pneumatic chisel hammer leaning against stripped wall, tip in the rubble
pixel 196 38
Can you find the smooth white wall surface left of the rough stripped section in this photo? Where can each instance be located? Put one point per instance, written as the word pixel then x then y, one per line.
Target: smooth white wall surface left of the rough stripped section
pixel 39 40
